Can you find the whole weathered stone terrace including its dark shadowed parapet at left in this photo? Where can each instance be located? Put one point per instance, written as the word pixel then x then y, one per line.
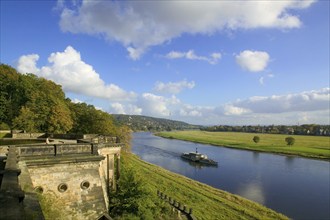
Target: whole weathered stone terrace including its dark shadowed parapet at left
pixel 72 181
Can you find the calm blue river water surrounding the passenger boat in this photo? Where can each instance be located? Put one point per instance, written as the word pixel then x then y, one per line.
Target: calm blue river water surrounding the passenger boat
pixel 294 186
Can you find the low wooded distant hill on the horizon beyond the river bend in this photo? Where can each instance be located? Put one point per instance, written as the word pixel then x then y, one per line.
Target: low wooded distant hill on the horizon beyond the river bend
pixel 145 123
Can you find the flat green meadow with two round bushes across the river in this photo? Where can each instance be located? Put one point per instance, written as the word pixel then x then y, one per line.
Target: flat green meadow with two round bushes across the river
pixel 305 146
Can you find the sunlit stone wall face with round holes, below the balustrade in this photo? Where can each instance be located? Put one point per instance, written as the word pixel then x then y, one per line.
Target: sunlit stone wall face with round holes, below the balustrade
pixel 74 188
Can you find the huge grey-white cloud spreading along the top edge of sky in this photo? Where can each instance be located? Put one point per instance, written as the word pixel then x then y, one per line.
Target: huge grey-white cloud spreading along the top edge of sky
pixel 141 24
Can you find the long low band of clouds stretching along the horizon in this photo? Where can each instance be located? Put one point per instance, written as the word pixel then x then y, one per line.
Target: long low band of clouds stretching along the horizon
pixel 304 107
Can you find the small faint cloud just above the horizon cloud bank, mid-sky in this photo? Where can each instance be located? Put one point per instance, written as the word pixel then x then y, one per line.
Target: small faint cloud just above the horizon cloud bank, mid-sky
pixel 173 87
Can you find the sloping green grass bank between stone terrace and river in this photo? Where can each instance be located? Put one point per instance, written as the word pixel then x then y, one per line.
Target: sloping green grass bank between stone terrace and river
pixel 207 202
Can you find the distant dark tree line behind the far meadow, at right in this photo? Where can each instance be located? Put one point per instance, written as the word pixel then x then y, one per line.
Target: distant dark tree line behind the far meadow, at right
pixel 305 129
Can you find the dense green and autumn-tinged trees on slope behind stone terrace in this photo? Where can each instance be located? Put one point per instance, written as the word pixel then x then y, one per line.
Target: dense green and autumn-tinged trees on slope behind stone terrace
pixel 35 104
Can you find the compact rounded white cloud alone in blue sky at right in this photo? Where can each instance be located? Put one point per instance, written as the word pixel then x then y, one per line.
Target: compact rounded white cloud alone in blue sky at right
pixel 253 61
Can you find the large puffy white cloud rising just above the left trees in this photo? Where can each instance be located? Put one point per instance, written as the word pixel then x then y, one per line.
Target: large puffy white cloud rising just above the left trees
pixel 68 69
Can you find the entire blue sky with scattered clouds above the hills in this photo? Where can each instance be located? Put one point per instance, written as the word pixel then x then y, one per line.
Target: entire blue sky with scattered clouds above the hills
pixel 207 62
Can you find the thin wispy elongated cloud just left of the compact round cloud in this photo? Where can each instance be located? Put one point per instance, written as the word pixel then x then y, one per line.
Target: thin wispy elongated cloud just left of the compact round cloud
pixel 213 59
